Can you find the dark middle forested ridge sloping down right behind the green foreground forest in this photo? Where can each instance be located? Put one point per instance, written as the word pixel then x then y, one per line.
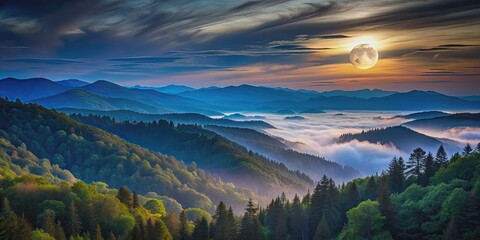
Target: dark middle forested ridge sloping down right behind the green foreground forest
pixel 210 151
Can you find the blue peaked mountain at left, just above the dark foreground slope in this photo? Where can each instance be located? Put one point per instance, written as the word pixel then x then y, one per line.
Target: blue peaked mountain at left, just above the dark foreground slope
pixel 82 99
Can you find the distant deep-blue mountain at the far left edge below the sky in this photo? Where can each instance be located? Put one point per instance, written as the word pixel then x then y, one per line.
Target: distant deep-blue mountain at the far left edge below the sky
pixel 28 89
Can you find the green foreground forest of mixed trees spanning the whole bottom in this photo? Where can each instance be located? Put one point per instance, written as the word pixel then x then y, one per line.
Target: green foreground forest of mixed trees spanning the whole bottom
pixel 427 196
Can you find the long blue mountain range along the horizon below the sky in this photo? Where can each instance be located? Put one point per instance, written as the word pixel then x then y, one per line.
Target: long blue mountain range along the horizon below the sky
pixel 214 100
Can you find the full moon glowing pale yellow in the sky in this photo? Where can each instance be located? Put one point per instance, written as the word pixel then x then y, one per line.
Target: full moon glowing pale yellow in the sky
pixel 364 56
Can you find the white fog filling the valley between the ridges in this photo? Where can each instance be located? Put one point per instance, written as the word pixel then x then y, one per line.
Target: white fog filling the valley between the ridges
pixel 316 134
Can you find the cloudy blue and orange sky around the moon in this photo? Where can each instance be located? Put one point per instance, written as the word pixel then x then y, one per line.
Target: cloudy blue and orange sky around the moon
pixel 426 45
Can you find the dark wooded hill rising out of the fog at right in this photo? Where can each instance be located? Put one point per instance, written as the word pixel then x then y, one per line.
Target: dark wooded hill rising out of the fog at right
pixel 401 137
